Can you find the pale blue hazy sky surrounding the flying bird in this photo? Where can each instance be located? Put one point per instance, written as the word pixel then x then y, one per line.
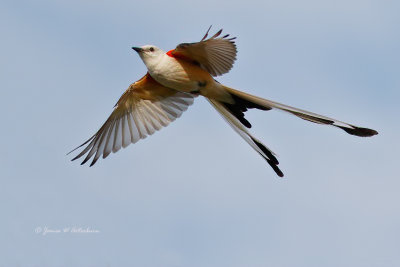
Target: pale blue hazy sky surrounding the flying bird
pixel 195 194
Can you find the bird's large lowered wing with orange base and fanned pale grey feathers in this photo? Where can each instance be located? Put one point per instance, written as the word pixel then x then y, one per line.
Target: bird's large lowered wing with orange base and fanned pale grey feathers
pixel 145 107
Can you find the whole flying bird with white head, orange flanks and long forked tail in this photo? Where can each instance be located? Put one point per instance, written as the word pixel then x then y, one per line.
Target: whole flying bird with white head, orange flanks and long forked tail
pixel 172 81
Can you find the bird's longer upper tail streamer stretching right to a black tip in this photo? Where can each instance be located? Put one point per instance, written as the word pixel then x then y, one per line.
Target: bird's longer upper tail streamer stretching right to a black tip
pixel 251 101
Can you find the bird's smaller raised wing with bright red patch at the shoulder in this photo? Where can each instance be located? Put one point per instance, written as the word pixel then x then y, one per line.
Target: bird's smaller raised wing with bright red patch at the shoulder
pixel 216 54
